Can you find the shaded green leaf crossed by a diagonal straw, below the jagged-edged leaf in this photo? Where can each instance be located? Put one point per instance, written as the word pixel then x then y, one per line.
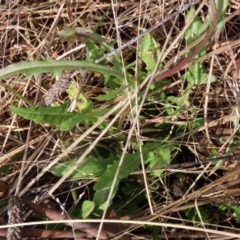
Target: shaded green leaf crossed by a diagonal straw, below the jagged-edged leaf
pixel 89 167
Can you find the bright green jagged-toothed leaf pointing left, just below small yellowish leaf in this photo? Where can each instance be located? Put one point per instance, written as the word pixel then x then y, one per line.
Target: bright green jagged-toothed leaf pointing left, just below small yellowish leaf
pixel 57 116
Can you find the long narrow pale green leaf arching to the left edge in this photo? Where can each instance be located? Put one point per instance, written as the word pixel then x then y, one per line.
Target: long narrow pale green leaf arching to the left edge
pixel 56 67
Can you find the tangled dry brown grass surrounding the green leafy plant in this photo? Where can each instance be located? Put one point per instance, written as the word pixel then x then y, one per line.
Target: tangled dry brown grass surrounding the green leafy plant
pixel 28 151
